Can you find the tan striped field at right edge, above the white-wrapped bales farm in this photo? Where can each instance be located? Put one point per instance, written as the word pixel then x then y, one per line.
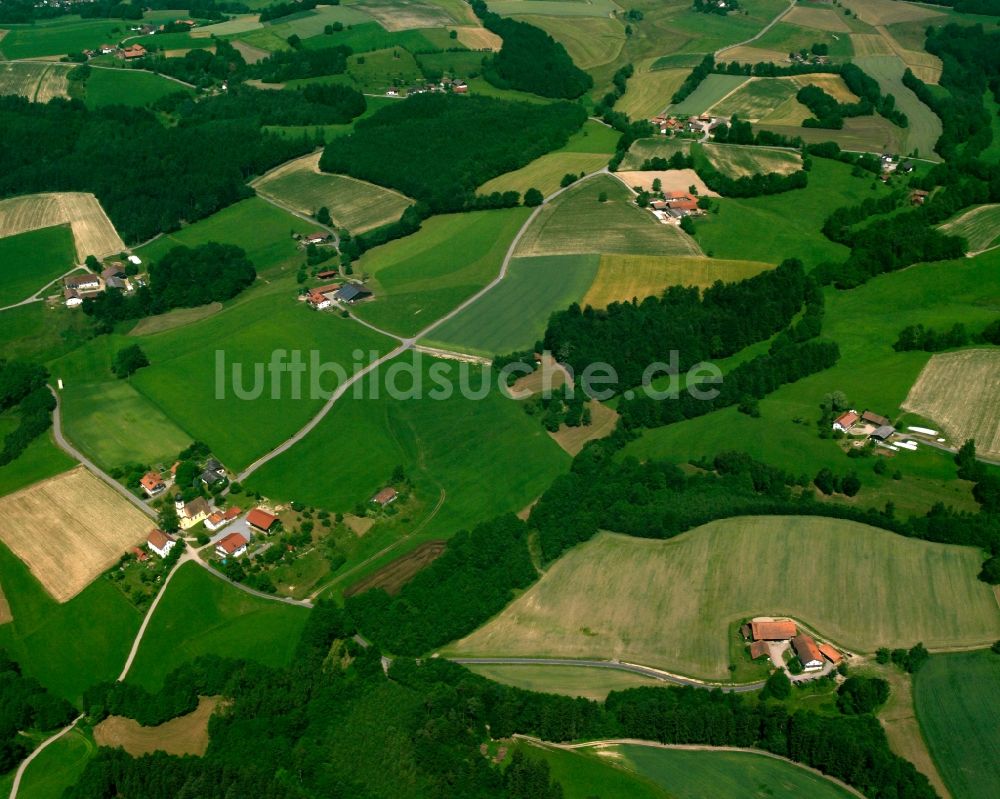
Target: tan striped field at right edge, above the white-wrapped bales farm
pixel 960 391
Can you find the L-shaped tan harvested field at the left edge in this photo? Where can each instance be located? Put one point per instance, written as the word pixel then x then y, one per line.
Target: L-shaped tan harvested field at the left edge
pixel 92 230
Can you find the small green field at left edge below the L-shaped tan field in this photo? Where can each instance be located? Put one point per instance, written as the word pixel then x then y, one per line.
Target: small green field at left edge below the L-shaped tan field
pixel 31 261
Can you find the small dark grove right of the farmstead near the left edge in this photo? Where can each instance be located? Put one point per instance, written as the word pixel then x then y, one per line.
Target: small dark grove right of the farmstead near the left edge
pixel 183 278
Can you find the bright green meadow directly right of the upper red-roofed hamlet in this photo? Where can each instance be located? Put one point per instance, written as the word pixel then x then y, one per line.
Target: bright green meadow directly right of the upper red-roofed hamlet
pixel 786 225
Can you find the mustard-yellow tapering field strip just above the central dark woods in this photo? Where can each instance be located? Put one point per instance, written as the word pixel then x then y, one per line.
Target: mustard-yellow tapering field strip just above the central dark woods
pixel 620 278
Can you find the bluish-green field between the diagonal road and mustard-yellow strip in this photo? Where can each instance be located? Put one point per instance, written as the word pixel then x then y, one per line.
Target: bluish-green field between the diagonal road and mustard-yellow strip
pixel 513 315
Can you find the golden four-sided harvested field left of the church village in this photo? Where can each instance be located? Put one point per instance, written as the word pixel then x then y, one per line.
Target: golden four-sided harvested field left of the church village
pixel 69 529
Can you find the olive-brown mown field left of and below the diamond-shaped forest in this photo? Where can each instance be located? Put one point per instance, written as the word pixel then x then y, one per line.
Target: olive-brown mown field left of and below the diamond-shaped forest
pixel 353 204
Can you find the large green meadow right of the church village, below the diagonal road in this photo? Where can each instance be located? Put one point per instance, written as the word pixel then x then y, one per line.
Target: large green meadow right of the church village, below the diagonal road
pixel 505 459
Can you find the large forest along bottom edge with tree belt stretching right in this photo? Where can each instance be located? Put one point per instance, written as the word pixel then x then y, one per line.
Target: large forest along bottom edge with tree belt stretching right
pixel 340 726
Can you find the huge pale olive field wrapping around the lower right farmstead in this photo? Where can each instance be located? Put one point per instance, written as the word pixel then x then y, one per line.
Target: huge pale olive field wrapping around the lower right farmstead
pixel 669 603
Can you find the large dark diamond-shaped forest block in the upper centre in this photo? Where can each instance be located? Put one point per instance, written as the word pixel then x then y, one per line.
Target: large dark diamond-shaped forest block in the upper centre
pixel 420 134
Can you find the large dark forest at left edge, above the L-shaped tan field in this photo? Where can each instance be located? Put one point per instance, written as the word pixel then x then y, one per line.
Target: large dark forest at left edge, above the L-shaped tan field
pixel 55 147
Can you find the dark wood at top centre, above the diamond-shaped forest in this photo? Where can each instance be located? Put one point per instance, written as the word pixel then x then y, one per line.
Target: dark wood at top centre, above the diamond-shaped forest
pixel 530 60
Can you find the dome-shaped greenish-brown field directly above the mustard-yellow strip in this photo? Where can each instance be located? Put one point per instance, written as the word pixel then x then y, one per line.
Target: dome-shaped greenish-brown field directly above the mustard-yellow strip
pixel 577 222
